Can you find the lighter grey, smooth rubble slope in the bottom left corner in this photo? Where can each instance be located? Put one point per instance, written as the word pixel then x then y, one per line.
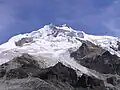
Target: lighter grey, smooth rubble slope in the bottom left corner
pixel 26 84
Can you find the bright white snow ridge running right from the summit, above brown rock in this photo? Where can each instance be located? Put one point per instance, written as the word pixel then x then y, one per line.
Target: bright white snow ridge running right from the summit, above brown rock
pixel 109 43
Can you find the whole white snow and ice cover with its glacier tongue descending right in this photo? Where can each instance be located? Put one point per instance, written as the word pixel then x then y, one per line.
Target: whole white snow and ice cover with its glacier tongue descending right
pixel 54 43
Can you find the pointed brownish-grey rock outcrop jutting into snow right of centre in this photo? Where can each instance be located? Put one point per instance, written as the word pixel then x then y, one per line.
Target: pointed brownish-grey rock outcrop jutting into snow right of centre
pixel 87 49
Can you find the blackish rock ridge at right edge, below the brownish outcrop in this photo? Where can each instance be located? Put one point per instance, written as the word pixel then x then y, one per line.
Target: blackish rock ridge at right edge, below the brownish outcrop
pixel 105 63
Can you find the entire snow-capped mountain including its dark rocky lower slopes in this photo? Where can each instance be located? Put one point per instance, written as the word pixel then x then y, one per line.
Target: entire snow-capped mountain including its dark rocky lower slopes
pixel 60 58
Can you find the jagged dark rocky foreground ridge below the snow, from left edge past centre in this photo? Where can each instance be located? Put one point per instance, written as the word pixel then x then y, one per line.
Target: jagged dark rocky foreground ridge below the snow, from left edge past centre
pixel 25 74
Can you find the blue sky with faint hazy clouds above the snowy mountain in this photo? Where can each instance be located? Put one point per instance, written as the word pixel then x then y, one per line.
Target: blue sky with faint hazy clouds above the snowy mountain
pixel 97 17
